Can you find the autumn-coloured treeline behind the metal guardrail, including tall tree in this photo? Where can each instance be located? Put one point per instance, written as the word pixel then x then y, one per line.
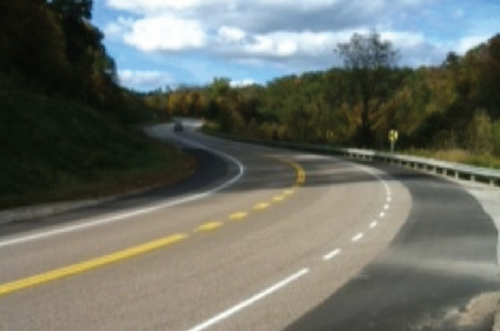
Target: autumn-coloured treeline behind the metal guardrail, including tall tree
pixel 455 105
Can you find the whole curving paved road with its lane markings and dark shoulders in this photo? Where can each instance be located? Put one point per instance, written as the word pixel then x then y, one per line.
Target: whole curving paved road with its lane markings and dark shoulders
pixel 258 239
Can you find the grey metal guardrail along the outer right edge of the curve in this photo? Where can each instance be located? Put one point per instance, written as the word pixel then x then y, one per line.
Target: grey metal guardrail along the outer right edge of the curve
pixel 455 170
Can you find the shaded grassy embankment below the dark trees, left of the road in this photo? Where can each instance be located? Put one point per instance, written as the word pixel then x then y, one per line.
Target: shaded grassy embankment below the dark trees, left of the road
pixel 55 149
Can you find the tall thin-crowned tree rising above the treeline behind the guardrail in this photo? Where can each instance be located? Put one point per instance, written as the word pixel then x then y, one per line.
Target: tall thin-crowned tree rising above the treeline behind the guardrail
pixel 368 61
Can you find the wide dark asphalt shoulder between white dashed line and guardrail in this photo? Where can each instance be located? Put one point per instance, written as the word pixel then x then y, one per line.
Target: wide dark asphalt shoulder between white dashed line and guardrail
pixel 443 259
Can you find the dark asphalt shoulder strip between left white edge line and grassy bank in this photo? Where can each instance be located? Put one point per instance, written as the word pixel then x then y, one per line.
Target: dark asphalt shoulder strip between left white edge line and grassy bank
pixel 210 170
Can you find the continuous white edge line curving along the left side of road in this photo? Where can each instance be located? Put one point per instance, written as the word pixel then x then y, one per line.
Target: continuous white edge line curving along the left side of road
pixel 118 217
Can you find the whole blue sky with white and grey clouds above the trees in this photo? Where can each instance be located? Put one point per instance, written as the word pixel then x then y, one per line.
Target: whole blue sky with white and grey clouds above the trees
pixel 160 43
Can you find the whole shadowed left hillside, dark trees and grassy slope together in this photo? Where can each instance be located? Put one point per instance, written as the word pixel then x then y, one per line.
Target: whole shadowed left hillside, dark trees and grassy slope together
pixel 67 129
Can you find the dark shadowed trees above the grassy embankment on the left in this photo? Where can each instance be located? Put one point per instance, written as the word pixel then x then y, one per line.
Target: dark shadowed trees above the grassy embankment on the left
pixel 52 48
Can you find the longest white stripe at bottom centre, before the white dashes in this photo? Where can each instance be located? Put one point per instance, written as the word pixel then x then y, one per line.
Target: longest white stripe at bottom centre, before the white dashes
pixel 231 311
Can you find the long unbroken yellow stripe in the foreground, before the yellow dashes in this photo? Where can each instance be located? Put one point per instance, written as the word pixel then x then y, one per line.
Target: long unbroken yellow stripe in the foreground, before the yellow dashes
pixel 90 264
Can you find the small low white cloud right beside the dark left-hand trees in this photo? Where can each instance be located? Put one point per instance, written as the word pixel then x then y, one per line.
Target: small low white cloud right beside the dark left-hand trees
pixel 144 79
